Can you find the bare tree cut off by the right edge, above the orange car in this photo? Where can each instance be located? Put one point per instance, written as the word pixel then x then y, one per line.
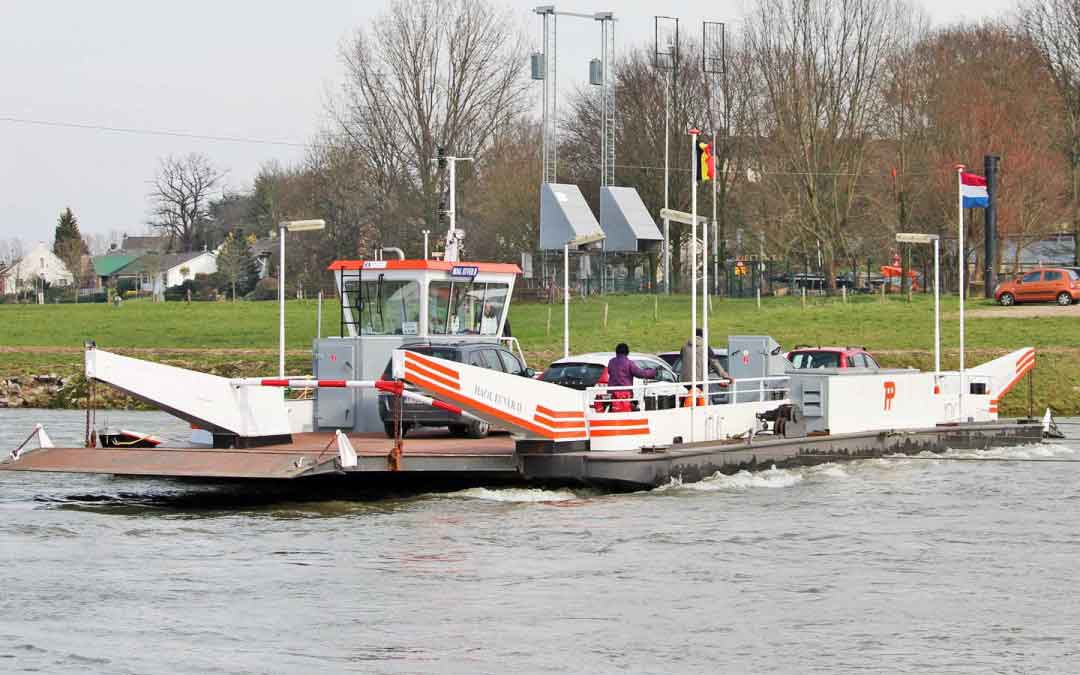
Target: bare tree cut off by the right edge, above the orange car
pixel 1055 29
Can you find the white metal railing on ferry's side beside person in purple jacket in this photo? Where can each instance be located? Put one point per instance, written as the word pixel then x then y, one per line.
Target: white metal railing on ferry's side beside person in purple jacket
pixel 663 395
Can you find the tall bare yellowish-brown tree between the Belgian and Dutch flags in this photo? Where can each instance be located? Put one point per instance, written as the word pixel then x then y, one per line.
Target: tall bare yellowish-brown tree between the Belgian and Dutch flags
pixel 820 64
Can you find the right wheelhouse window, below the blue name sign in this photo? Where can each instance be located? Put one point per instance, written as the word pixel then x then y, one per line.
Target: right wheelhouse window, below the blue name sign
pixel 466 307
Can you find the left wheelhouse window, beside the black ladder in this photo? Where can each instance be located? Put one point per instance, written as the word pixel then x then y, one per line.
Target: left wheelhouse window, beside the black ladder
pixel 385 307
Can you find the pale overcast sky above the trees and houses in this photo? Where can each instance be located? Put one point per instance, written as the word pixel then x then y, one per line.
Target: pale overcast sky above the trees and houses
pixel 254 70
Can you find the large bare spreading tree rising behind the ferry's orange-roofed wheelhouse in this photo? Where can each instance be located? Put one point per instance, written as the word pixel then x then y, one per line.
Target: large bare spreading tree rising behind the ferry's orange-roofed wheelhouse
pixel 429 74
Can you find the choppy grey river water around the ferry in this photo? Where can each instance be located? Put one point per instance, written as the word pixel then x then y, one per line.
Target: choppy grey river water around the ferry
pixel 894 565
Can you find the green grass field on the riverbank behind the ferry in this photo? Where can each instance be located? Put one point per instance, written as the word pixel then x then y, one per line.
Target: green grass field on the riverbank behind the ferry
pixel 241 339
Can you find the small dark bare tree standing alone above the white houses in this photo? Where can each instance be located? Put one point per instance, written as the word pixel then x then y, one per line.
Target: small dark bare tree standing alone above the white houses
pixel 181 198
